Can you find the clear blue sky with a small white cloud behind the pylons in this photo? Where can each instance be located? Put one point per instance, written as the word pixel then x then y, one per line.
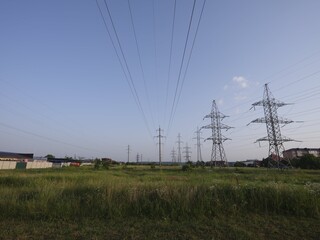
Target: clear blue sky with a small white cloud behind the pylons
pixel 68 89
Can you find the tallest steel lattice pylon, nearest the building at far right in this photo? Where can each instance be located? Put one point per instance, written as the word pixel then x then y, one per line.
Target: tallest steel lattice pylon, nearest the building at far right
pixel 273 121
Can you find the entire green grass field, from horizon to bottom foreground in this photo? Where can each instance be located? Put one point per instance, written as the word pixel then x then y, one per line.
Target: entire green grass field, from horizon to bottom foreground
pixel 138 202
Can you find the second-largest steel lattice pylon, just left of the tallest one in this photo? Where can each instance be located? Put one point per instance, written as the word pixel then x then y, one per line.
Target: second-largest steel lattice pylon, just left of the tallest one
pixel 218 156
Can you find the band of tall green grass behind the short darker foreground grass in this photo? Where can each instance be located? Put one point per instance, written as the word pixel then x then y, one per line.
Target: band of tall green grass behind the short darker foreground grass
pixel 169 193
